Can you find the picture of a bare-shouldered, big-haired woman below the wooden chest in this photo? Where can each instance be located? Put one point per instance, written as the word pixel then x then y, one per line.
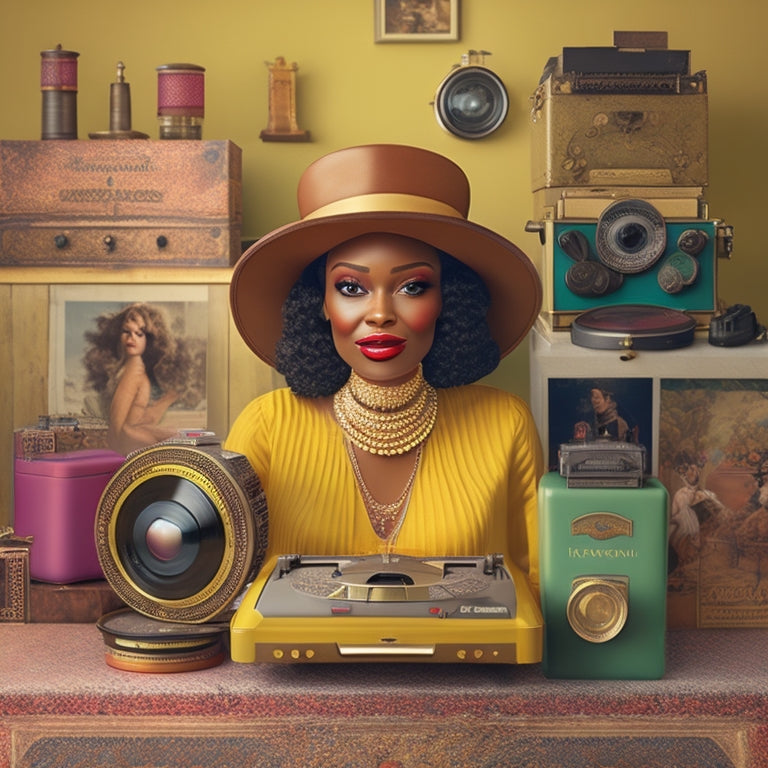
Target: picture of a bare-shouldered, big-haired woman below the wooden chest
pixel 132 356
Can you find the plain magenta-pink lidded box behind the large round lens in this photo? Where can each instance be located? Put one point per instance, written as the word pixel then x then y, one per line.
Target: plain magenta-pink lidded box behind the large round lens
pixel 56 496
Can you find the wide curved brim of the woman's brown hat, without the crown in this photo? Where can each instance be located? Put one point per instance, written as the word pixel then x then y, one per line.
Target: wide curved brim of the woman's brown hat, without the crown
pixel 266 272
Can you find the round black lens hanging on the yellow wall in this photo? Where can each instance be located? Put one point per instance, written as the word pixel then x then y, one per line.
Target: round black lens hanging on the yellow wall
pixel 471 102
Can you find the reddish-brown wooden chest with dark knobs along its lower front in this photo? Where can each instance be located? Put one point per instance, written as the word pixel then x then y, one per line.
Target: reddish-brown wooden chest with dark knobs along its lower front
pixel 120 203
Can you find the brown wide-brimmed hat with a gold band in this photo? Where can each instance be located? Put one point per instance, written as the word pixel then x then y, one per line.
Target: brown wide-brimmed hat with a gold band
pixel 386 188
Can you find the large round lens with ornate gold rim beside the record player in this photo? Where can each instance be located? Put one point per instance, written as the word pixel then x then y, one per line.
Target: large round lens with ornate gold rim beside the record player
pixel 180 530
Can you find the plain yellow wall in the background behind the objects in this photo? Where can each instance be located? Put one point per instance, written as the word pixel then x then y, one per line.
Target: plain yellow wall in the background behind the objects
pixel 354 91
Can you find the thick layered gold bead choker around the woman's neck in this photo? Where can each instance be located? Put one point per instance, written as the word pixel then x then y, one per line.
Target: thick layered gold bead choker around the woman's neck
pixel 386 420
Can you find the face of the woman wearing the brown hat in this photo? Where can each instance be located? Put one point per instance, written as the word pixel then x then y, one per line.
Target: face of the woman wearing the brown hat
pixel 382 298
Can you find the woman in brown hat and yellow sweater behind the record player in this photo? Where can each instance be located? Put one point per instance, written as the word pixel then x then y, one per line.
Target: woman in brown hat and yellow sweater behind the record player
pixel 380 307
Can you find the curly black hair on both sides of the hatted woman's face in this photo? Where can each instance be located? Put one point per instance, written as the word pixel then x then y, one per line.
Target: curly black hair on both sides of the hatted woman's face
pixel 463 350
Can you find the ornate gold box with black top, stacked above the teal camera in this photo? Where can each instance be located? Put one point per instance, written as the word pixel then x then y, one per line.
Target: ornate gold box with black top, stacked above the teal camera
pixel 613 117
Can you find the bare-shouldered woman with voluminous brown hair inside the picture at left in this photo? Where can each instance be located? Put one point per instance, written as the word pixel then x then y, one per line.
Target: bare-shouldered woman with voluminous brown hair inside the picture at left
pixel 138 369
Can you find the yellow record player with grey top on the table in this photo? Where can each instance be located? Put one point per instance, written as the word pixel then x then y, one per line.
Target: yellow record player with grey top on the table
pixel 387 608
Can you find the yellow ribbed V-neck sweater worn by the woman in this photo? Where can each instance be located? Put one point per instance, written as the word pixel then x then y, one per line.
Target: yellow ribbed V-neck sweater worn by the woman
pixel 474 493
